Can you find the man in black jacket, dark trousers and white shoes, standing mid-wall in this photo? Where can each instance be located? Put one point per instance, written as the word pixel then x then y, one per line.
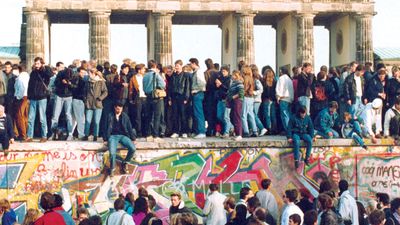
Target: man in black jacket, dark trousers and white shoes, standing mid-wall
pixel 179 94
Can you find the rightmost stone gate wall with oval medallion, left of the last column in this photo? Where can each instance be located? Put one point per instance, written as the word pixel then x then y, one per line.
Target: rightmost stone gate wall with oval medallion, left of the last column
pixel 347 26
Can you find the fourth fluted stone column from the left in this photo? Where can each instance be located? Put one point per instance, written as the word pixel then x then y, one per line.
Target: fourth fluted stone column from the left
pixel 245 37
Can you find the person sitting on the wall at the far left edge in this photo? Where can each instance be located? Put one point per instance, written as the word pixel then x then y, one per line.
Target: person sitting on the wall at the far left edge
pixel 6 130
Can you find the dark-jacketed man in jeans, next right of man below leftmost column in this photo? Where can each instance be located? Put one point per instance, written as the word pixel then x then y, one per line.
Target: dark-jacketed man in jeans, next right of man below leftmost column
pixel 63 99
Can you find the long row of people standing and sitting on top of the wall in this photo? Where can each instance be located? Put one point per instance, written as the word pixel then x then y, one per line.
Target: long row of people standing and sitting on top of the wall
pixel 86 100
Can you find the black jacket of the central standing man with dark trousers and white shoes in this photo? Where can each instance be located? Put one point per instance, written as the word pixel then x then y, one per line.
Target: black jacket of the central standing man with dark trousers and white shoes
pixel 180 85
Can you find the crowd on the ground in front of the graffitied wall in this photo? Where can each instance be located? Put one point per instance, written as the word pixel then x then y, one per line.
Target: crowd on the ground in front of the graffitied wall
pixel 333 206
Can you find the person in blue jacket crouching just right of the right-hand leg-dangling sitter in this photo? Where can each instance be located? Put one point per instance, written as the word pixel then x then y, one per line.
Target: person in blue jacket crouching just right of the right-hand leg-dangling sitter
pixel 326 120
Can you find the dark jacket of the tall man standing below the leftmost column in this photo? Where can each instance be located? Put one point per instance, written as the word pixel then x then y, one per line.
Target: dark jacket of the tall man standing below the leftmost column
pixel 38 83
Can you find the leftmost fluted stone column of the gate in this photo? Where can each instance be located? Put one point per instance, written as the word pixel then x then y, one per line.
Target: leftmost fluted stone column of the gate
pixel 34 36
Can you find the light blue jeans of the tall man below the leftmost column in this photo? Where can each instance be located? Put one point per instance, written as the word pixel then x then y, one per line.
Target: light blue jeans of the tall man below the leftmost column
pixel 33 105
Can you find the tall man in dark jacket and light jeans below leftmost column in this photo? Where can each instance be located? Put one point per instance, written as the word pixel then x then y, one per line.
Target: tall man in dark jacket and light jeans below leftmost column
pixel 37 95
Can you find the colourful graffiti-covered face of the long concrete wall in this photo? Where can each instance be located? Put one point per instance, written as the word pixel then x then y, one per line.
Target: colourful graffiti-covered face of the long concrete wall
pixel 77 174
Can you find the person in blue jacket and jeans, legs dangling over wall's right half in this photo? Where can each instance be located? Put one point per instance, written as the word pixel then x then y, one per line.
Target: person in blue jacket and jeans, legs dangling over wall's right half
pixel 301 128
